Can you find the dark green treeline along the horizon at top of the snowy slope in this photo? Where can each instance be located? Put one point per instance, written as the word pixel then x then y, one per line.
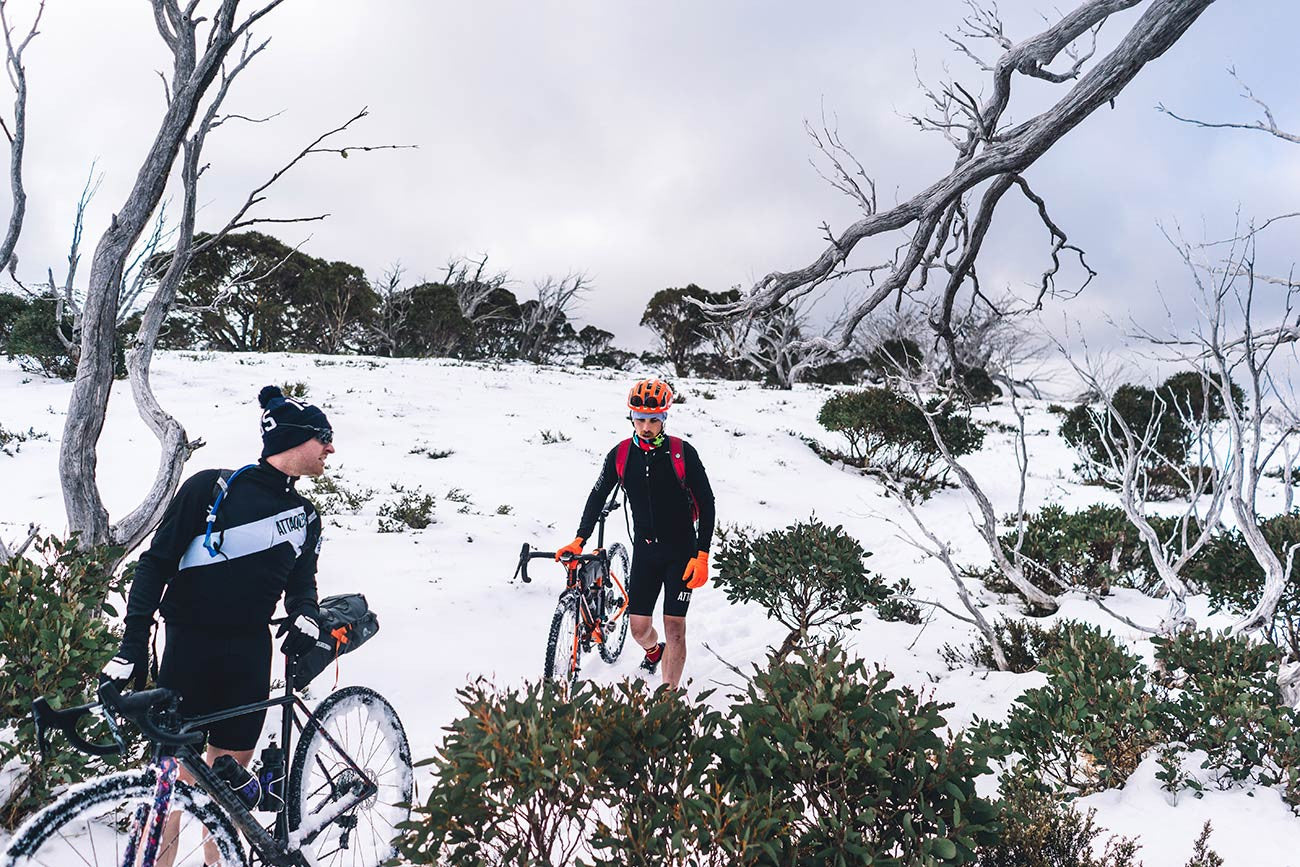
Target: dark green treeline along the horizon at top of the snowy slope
pixel 252 293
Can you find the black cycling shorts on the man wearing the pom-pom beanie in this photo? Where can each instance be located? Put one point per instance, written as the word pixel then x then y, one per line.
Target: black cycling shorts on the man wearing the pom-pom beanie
pixel 216 671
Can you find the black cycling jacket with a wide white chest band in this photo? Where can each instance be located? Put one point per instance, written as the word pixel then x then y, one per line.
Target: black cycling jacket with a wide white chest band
pixel 267 537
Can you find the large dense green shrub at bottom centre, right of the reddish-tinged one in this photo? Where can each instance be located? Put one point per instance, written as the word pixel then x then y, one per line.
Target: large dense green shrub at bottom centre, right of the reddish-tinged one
pixel 860 773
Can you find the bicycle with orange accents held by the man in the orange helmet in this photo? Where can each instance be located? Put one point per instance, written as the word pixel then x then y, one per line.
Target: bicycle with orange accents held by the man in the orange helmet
pixel 592 608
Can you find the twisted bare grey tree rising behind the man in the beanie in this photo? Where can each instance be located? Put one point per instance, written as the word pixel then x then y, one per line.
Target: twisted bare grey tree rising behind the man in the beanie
pixel 209 53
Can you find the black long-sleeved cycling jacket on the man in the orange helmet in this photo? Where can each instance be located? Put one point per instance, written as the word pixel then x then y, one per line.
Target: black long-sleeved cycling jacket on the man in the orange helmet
pixel 661 509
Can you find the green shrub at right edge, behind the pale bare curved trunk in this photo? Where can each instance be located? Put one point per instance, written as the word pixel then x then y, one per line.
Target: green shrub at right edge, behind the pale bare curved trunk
pixel 1234 580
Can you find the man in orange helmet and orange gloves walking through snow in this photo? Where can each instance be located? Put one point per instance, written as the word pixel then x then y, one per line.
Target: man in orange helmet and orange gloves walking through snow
pixel 668 489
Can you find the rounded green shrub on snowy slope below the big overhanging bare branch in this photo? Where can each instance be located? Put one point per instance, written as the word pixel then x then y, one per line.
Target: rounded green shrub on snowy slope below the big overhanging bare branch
pixel 886 432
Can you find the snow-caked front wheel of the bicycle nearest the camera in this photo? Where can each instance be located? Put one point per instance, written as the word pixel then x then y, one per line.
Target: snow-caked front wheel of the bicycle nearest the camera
pixel 77 829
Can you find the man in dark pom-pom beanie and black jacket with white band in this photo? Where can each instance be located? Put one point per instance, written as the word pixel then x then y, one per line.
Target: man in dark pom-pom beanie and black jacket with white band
pixel 218 580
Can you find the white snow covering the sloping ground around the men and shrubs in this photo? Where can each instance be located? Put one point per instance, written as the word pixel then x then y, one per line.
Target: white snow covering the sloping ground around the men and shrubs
pixel 447 602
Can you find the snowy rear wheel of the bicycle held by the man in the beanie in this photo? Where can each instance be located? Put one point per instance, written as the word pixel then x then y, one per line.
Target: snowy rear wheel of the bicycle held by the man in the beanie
pixel 363 723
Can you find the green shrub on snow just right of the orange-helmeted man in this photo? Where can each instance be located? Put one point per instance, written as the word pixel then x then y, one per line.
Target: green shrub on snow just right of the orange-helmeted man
pixel 808 578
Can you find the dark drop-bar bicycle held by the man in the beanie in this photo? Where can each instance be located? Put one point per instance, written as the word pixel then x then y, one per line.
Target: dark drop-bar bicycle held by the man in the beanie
pixel 331 808
